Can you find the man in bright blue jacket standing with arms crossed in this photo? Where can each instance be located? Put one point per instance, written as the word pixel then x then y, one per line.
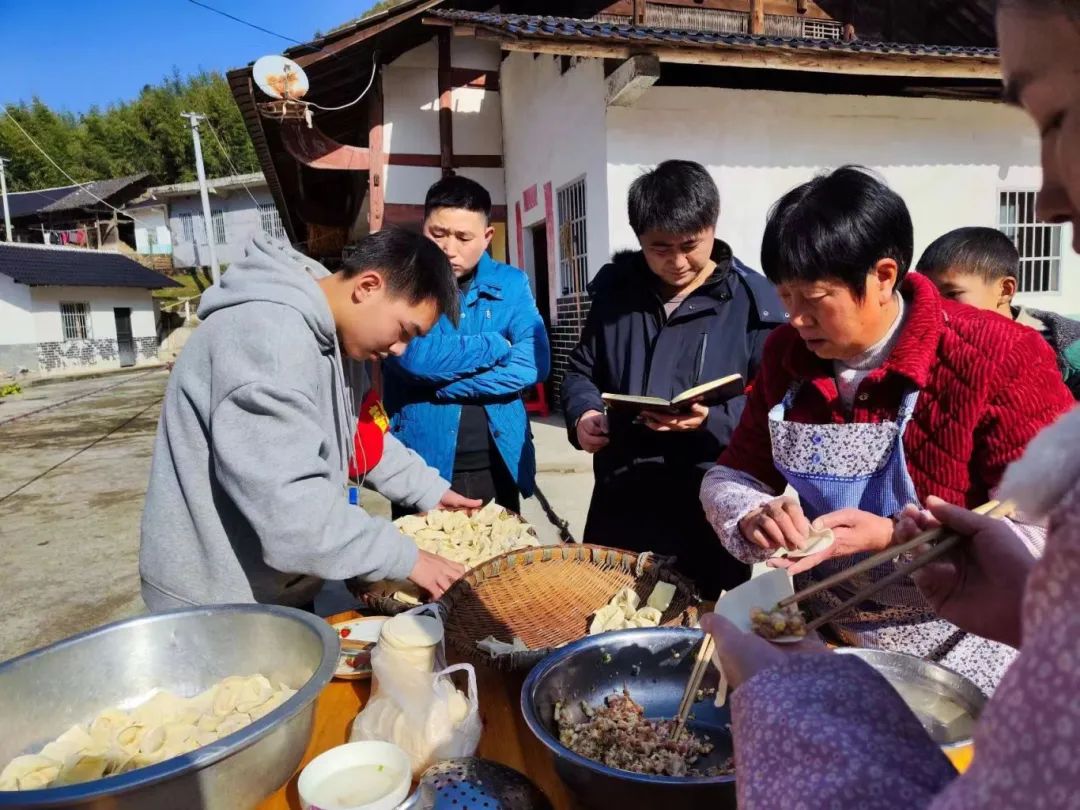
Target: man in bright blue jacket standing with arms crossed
pixel 455 396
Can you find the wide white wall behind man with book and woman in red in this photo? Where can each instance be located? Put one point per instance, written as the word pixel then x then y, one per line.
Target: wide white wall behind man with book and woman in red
pixel 949 159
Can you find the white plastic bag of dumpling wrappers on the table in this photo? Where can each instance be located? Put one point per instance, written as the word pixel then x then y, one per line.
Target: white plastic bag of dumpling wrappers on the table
pixel 421 712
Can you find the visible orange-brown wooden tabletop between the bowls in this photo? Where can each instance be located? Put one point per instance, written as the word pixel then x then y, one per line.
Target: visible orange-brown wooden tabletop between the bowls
pixel 506 738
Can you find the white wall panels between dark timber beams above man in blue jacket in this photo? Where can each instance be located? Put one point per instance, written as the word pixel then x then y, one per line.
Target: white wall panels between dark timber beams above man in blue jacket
pixel 411 90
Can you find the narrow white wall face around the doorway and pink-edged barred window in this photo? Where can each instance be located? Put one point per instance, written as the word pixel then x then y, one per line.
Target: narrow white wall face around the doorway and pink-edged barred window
pixel 555 133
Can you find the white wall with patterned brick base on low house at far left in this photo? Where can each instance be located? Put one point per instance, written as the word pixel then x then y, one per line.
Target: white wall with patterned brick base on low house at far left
pixel 100 350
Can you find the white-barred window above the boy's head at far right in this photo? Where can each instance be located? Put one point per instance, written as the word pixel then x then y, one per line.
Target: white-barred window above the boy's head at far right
pixel 1039 244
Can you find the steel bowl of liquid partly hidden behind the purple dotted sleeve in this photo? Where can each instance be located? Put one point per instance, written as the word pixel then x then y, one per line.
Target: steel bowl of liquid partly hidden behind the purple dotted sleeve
pixel 922 683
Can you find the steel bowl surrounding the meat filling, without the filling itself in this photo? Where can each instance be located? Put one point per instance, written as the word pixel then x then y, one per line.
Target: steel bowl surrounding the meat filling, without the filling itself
pixel 655 666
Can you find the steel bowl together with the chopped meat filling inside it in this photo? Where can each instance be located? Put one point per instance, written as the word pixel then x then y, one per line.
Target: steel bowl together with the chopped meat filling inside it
pixel 605 708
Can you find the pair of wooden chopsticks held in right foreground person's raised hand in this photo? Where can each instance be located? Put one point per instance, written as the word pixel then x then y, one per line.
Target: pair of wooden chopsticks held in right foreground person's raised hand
pixel 943 539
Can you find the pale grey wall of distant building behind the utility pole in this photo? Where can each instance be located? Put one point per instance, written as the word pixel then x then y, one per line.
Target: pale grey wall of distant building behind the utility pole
pixel 242 222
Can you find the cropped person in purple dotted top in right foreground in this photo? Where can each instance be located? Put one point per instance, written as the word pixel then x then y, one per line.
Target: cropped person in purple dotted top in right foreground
pixel 826 732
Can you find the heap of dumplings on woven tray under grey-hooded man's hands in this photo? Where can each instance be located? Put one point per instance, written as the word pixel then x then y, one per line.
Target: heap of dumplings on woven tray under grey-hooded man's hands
pixel 469 539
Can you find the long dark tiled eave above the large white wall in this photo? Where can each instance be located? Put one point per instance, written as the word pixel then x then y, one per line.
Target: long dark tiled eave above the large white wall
pixel 607 33
